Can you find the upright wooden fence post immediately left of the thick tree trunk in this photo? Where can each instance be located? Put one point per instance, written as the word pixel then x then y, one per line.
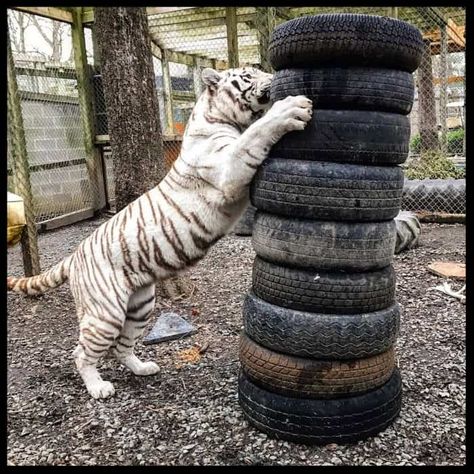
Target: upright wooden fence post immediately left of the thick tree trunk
pixel 93 159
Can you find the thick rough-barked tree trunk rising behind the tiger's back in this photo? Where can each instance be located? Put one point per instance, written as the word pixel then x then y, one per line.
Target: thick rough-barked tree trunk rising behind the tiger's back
pixel 132 112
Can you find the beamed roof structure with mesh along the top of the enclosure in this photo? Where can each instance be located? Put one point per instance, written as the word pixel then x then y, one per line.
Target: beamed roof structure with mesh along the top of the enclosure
pixel 201 34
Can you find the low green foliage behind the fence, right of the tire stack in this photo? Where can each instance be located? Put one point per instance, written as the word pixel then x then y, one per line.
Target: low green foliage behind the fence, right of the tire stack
pixel 434 165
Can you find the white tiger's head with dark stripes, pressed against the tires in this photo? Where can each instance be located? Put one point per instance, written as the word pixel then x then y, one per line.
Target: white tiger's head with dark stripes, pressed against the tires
pixel 242 94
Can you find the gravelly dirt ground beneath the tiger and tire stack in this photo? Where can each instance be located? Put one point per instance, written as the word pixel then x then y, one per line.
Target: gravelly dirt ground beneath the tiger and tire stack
pixel 189 413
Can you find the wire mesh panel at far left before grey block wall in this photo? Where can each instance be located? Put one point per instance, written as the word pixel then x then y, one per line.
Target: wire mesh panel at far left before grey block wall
pixel 47 86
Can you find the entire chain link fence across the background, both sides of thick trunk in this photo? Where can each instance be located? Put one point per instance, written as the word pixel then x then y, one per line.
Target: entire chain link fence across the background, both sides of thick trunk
pixel 184 41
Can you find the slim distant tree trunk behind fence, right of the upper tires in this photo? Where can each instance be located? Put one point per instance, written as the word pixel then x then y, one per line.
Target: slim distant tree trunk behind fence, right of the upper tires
pixel 426 103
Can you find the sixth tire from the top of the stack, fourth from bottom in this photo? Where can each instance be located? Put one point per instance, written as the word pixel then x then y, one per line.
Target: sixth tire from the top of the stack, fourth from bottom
pixel 315 291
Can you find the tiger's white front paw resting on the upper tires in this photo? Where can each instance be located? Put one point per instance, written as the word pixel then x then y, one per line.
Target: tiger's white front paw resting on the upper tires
pixel 291 113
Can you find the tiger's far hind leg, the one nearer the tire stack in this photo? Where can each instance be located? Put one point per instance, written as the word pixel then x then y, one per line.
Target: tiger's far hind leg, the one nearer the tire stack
pixel 139 309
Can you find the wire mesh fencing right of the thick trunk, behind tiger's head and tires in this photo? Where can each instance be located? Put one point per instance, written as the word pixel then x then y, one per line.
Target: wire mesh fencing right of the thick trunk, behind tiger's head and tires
pixel 223 37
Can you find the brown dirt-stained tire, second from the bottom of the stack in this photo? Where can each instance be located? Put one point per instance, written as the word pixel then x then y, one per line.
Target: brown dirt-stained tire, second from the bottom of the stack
pixel 310 378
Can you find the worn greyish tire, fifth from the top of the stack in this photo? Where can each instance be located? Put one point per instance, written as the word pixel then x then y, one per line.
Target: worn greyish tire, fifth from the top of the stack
pixel 324 245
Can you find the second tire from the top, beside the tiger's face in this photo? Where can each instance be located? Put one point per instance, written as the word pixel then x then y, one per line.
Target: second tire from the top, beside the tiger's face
pixel 353 88
